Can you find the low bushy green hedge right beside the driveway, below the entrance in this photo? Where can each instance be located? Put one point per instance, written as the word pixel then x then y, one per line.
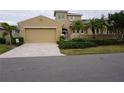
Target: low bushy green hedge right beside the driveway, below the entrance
pixel 72 45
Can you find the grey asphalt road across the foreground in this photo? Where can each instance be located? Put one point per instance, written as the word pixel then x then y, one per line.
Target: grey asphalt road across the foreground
pixel 88 68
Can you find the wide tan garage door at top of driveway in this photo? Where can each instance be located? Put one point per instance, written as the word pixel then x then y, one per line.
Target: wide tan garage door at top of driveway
pixel 40 35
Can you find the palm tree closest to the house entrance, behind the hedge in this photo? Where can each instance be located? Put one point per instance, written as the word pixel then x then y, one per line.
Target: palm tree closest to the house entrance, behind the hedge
pixel 78 26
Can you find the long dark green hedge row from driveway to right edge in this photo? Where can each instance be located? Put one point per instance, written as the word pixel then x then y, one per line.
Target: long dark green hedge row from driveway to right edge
pixel 81 43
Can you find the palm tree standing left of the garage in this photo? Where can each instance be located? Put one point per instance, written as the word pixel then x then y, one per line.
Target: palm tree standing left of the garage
pixel 8 28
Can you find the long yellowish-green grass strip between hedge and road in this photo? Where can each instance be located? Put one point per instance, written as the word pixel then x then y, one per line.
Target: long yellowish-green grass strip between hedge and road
pixel 94 50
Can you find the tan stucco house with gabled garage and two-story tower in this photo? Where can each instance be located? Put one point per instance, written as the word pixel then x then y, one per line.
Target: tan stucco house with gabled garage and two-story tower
pixel 44 29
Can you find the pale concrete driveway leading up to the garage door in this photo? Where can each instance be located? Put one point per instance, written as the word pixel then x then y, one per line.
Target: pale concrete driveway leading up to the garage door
pixel 33 50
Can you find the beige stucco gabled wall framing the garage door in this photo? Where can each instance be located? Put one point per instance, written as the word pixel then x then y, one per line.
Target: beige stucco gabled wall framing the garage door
pixel 40 22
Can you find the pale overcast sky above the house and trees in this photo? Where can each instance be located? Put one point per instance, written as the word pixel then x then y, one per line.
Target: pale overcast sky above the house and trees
pixel 14 16
